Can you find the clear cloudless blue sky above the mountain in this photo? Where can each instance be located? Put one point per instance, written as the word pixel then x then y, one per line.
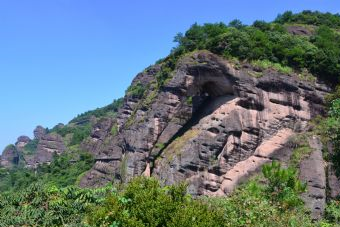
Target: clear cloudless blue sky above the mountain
pixel 59 58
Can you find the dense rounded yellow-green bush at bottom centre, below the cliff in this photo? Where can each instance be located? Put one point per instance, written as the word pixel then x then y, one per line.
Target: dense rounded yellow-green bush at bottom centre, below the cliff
pixel 145 203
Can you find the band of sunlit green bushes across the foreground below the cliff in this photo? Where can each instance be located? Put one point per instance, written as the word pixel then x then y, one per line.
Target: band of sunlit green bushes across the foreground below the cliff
pixel 144 202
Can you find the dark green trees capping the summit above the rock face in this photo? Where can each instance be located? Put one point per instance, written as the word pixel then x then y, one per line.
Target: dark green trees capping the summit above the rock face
pixel 270 42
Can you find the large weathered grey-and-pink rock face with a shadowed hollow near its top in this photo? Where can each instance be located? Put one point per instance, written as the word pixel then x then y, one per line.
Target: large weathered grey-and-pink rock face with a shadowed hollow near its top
pixel 212 124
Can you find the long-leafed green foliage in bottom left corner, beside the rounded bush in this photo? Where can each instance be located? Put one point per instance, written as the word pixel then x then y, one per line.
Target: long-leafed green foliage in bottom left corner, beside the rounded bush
pixel 39 205
